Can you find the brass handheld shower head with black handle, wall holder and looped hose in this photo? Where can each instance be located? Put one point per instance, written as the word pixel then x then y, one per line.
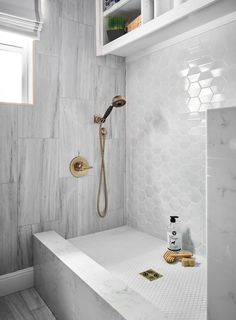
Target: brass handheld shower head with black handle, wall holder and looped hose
pixel 117 101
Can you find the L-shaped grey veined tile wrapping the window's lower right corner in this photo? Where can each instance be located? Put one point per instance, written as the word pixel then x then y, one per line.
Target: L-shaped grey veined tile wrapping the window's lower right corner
pixel 41 120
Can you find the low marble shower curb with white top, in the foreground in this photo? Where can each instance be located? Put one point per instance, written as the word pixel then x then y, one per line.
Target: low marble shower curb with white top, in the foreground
pixel 71 288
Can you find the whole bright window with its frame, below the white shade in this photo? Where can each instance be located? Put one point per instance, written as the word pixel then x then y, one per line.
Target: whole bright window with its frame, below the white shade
pixel 16 68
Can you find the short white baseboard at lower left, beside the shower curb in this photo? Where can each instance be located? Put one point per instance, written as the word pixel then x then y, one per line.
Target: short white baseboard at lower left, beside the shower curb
pixel 16 281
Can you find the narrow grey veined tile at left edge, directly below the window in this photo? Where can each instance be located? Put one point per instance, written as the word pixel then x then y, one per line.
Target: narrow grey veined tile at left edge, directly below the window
pixel 8 143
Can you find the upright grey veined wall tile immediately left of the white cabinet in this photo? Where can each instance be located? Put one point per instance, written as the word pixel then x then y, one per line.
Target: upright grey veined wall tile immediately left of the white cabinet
pixel 77 71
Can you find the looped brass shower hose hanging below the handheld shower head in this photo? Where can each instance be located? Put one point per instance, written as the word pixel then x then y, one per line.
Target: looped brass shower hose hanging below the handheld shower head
pixel 102 179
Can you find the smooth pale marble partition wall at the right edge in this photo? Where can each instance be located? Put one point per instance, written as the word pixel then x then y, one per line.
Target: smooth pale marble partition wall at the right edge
pixel 221 194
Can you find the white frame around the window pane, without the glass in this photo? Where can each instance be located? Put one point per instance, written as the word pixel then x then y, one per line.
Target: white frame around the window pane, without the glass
pixel 25 48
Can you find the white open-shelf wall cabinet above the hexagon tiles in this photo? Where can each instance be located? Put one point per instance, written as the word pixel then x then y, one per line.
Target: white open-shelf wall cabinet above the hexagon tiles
pixel 163 21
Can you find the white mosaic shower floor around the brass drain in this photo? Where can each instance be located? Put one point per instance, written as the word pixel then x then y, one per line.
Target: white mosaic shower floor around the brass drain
pixel 180 293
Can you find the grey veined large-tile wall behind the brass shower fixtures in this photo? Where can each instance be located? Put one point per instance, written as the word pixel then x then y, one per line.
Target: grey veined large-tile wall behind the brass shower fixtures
pixel 37 142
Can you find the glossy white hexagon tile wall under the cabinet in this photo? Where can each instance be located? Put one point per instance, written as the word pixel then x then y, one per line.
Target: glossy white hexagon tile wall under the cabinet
pixel 168 93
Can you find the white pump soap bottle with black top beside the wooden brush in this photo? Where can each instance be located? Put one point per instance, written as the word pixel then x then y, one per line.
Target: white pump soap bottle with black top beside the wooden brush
pixel 174 237
